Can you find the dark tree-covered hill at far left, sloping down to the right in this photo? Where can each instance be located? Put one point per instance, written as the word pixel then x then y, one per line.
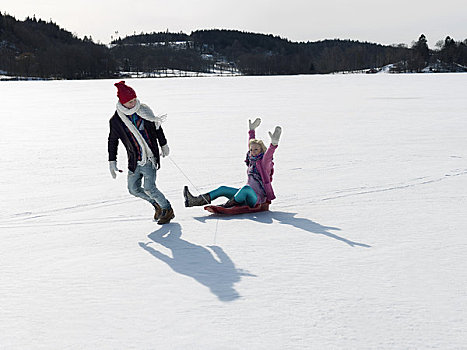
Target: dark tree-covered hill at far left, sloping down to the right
pixel 42 49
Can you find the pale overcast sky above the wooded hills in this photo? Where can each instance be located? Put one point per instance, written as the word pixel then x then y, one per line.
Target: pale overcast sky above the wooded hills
pixel 391 22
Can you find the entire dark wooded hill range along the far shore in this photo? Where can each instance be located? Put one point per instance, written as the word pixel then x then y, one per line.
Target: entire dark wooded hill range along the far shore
pixel 35 48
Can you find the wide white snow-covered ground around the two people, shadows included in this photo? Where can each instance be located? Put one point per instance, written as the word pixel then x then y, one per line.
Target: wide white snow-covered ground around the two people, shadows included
pixel 364 247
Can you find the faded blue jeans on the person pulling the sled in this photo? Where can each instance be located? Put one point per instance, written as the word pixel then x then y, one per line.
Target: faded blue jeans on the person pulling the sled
pixel 148 191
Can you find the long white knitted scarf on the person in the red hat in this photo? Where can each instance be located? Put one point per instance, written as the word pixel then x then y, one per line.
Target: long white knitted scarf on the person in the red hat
pixel 146 113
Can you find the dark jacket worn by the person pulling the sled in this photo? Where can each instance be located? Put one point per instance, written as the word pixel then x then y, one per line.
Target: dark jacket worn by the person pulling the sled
pixel 119 131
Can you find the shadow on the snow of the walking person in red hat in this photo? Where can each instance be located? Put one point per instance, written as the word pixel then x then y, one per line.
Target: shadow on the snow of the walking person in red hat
pixel 197 262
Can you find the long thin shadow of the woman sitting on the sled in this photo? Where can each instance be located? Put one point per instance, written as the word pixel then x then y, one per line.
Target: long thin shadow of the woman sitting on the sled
pixel 285 218
